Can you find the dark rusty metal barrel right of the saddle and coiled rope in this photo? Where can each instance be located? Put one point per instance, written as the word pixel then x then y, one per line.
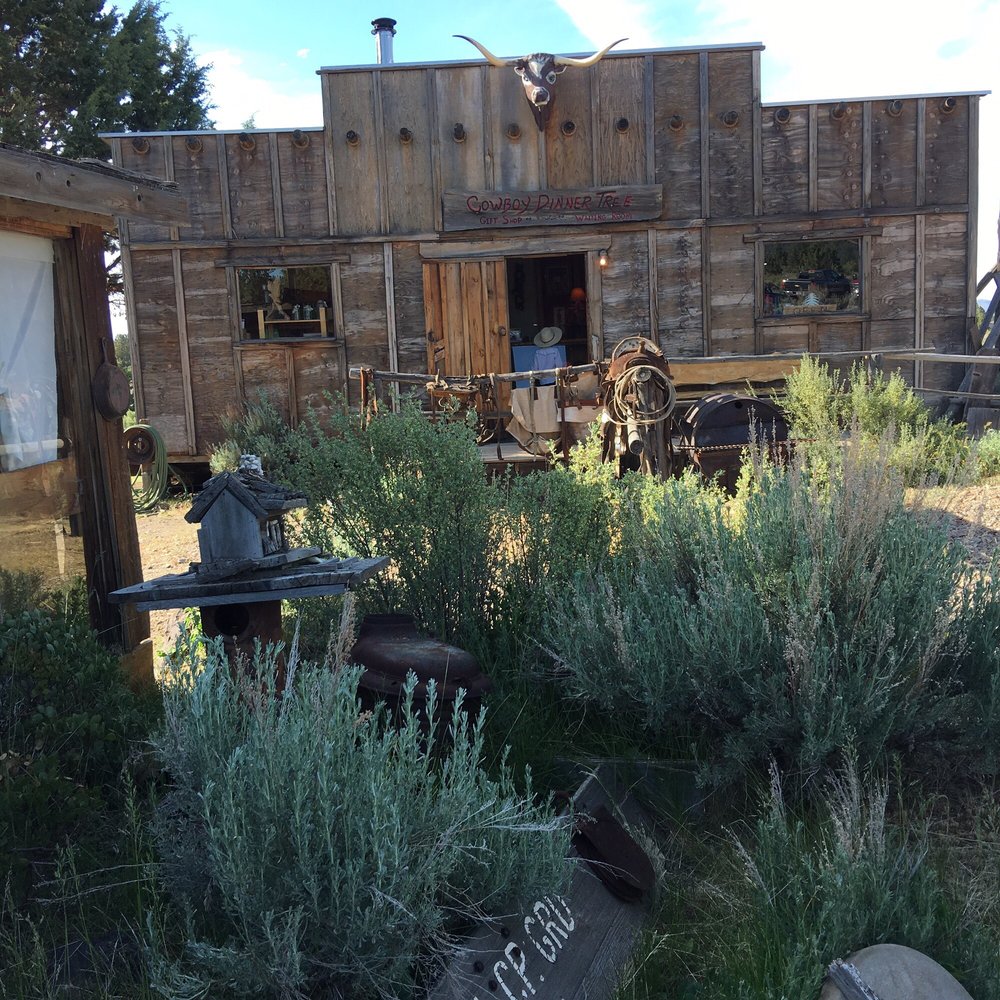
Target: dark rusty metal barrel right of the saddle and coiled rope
pixel 717 428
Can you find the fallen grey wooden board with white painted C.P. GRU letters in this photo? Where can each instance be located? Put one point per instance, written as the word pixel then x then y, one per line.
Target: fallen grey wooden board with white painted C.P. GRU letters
pixel 571 947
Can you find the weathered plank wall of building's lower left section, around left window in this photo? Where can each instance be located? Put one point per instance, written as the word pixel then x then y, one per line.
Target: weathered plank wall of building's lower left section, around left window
pixel 257 199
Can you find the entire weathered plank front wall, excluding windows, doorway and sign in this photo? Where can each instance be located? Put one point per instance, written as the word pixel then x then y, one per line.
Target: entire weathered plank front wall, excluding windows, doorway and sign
pixel 366 192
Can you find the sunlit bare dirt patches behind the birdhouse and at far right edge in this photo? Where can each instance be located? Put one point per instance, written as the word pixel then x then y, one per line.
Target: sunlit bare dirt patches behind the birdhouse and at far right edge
pixel 970 515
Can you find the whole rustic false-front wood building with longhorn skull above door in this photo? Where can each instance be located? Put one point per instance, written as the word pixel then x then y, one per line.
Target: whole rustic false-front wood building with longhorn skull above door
pixel 430 225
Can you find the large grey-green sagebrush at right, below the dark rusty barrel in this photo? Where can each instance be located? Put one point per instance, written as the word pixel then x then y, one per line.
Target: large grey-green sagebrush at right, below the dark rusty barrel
pixel 811 616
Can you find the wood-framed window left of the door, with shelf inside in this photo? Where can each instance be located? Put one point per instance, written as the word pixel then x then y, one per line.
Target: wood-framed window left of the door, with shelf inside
pixel 286 302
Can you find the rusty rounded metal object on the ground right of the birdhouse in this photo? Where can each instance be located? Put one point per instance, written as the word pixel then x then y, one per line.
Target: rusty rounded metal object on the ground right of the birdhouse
pixel 389 647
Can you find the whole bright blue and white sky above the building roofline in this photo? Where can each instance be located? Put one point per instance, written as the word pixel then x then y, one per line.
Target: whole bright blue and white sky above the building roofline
pixel 264 56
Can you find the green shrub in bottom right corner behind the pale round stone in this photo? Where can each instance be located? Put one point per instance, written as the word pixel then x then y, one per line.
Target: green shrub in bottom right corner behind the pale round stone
pixel 794 893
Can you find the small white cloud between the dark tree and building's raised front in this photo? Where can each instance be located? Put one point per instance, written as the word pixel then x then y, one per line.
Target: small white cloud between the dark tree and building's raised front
pixel 239 92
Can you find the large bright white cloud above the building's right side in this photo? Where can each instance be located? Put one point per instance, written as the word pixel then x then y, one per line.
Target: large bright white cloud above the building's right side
pixel 855 48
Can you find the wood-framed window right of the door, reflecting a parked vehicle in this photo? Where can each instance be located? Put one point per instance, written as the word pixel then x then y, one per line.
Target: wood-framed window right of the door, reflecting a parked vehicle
pixel 811 276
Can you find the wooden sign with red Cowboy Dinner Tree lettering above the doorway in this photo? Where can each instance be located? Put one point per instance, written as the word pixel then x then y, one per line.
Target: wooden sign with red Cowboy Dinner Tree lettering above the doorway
pixel 582 207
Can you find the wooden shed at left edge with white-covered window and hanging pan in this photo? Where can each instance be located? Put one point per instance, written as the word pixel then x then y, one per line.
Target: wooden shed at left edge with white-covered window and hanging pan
pixel 65 496
